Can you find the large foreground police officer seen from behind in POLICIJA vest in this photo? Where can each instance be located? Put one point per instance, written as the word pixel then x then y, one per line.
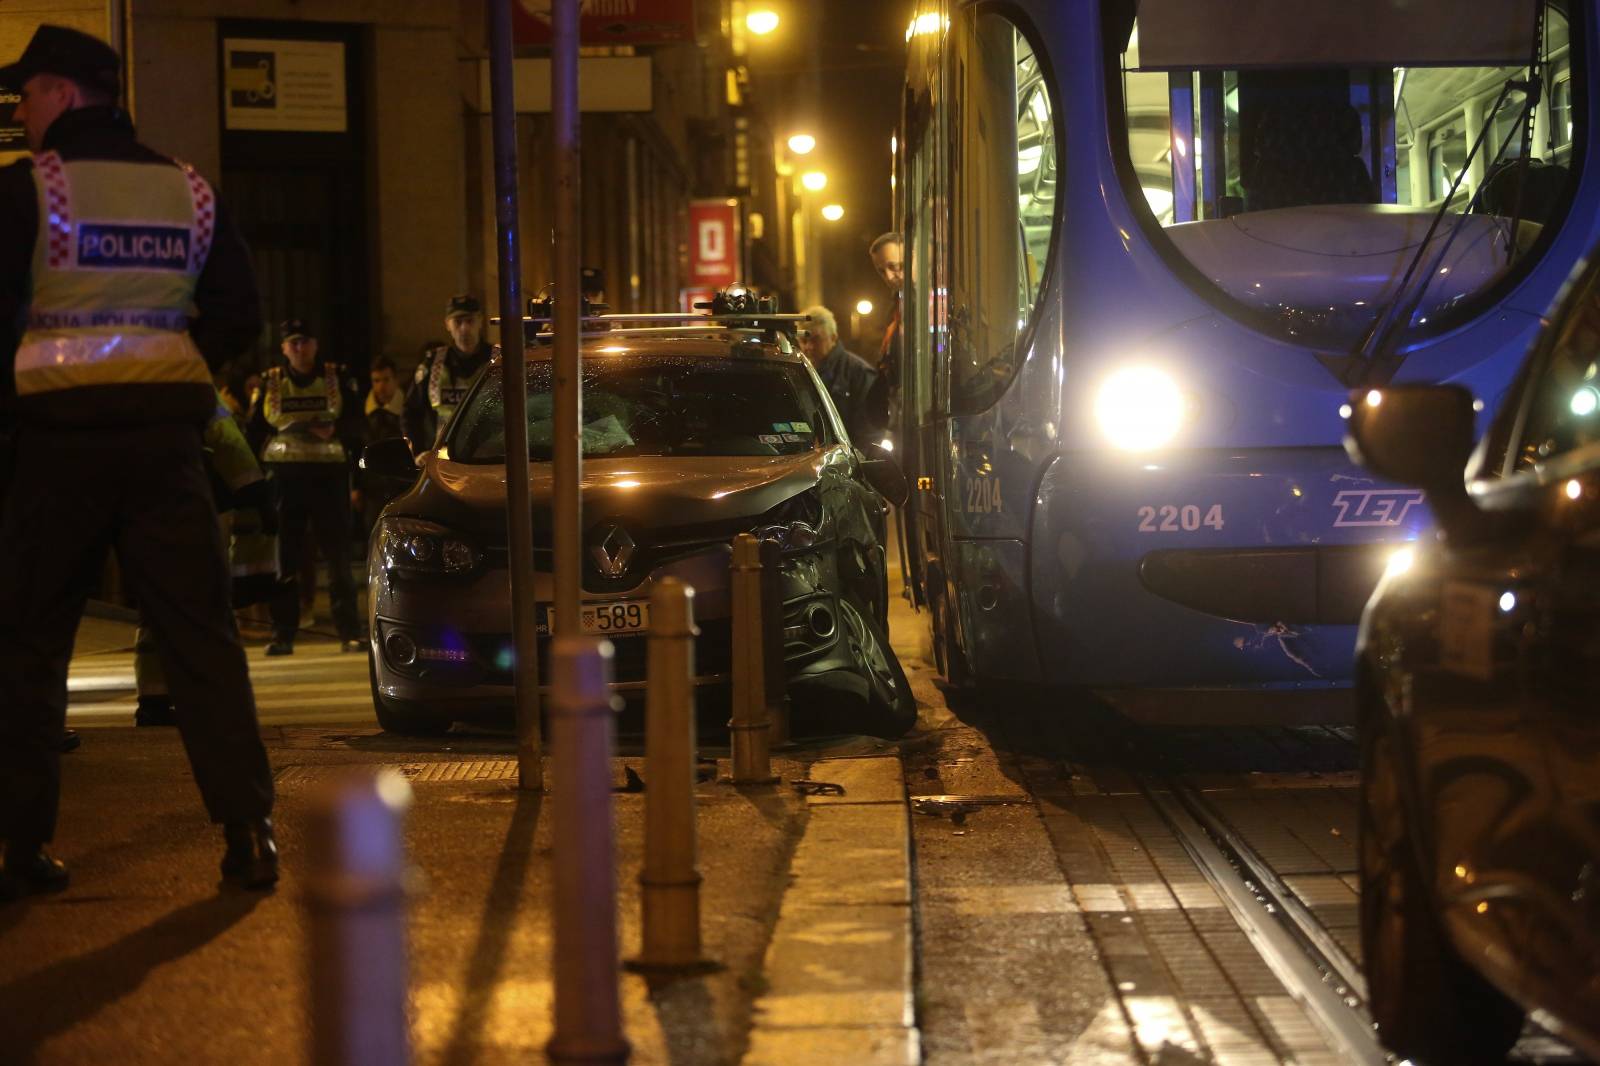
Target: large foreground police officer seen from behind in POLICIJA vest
pixel 130 281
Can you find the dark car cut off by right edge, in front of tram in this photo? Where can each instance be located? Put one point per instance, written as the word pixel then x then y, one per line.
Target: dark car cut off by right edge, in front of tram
pixel 1479 695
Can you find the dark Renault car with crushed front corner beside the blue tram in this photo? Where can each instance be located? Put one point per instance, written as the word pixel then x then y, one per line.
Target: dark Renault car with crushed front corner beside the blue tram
pixel 690 436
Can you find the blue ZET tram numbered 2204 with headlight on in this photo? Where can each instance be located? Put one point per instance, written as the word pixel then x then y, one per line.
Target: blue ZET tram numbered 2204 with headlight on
pixel 1151 247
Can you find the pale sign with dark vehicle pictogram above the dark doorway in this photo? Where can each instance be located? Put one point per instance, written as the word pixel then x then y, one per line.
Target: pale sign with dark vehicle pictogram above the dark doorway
pixel 284 86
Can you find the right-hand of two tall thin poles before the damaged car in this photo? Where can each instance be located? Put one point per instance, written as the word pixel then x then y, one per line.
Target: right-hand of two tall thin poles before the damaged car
pixel 566 507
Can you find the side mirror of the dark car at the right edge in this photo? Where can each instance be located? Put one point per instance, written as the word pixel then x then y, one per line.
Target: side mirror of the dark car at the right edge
pixel 1418 436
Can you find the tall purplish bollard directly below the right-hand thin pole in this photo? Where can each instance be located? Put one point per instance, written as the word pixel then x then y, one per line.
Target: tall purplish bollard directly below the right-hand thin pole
pixel 583 915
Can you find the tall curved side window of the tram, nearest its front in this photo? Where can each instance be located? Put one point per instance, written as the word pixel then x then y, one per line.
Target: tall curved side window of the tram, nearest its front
pixel 1004 202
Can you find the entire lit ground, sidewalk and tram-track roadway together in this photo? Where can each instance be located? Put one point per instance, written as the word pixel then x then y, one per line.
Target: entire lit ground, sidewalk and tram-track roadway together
pixel 1038 900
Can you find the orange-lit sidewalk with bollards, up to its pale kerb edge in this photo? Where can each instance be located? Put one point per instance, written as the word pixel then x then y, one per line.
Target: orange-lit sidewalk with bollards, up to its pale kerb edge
pixel 806 905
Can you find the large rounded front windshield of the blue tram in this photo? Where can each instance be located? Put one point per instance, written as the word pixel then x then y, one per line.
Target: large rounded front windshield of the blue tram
pixel 1298 154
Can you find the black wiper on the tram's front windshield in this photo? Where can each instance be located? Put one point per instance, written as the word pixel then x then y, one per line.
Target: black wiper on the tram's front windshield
pixel 1377 359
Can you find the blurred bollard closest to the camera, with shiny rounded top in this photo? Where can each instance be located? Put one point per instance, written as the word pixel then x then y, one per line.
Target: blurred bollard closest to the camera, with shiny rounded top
pixel 356 900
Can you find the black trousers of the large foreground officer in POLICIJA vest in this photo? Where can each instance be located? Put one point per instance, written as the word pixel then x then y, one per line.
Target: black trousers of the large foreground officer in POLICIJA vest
pixel 145 494
